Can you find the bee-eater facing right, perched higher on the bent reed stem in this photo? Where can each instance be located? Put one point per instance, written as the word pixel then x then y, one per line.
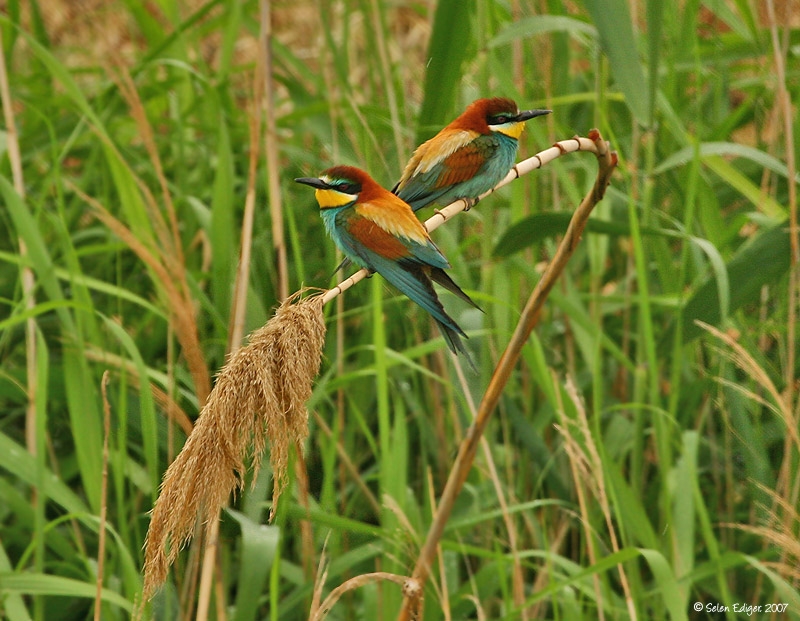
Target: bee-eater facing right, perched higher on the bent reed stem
pixel 468 157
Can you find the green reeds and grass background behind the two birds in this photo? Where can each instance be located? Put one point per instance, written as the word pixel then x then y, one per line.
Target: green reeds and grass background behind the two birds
pixel 641 465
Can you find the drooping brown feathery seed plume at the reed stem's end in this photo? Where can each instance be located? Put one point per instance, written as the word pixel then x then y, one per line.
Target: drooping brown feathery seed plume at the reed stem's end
pixel 260 394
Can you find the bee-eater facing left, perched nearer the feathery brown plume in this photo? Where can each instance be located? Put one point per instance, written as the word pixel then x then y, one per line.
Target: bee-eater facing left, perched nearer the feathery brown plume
pixel 377 230
